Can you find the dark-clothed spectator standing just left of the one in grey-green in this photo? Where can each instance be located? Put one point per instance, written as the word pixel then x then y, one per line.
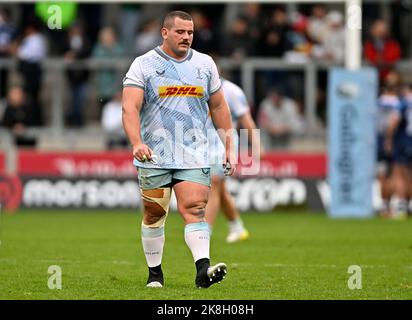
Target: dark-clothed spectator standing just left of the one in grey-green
pixel 77 47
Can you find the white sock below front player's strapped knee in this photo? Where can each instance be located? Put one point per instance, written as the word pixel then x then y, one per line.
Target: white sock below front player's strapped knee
pixel 153 240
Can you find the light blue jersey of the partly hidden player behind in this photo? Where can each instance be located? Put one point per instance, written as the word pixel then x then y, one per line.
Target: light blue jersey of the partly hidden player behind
pixel 238 105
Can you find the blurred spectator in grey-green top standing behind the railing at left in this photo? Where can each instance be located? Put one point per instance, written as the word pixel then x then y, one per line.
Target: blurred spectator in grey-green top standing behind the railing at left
pixel 107 78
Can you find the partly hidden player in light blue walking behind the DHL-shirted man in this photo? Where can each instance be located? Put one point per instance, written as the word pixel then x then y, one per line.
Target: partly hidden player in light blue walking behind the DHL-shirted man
pixel 219 196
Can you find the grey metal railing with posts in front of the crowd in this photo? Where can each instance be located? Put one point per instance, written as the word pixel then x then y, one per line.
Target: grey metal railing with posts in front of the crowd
pixel 55 89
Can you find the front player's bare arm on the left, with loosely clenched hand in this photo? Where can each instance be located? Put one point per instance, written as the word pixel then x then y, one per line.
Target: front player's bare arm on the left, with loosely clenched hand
pixel 132 103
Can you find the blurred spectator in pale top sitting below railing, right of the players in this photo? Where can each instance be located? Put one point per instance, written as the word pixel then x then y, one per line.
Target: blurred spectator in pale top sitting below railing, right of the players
pixel 279 119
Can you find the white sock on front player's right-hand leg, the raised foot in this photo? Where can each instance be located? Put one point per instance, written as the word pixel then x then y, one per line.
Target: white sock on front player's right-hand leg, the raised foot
pixel 197 238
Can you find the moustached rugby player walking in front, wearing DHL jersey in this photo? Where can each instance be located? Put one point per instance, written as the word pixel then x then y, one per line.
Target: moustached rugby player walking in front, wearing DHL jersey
pixel 168 93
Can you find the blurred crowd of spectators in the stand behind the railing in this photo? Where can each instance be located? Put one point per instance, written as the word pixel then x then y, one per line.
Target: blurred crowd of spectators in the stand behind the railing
pixel 311 33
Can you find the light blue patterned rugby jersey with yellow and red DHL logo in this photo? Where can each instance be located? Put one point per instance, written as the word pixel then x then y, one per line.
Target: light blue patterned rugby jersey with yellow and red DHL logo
pixel 175 108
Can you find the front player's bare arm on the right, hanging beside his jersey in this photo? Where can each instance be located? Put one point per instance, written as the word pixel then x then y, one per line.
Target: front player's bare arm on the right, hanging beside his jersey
pixel 222 120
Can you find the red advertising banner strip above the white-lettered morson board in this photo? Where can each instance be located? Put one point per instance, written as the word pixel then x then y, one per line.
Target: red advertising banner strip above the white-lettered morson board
pixel 119 164
